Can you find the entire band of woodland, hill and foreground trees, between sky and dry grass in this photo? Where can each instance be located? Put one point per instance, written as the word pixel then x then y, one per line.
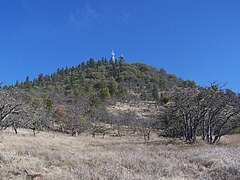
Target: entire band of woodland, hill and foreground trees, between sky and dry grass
pixel 89 98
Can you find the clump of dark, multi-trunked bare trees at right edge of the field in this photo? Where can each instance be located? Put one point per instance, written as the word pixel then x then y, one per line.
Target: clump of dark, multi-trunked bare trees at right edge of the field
pixel 206 112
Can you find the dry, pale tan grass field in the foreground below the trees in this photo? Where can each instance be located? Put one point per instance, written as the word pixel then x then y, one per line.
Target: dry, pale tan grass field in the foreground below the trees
pixel 59 156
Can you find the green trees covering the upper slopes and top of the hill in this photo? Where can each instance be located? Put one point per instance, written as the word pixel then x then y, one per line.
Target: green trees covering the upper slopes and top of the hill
pixel 119 77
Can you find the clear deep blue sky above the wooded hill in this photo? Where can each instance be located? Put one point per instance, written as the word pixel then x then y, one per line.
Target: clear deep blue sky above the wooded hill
pixel 194 39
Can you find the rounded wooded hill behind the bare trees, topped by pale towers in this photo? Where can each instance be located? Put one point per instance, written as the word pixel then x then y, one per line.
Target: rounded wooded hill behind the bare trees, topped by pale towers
pixel 88 89
